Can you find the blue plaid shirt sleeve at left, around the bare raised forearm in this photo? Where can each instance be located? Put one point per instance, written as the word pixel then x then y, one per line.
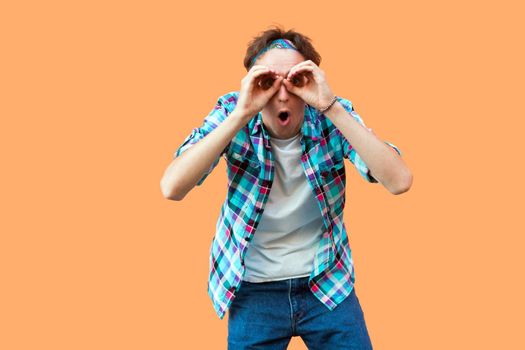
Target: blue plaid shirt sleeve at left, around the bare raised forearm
pixel 217 115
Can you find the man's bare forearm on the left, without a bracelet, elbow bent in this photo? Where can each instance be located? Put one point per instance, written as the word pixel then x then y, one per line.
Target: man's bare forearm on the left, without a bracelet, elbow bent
pixel 185 171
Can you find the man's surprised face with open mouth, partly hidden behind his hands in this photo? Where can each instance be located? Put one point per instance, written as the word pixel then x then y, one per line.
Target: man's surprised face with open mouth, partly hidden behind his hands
pixel 282 60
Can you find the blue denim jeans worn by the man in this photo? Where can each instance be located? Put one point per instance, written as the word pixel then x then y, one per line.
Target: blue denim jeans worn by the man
pixel 266 315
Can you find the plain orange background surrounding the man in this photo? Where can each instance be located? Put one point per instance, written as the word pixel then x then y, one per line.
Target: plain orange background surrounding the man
pixel 96 96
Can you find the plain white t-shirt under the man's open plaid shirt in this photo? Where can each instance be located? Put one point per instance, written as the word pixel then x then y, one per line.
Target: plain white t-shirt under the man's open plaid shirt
pixel 287 237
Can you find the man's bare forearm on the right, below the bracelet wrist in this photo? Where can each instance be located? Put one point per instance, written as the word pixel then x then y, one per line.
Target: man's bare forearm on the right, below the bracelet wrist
pixel 385 164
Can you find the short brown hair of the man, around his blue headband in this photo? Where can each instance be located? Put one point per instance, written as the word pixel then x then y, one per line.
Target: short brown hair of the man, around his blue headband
pixel 300 41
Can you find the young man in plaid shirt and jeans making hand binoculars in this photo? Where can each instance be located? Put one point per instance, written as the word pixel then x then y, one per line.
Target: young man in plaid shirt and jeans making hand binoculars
pixel 280 259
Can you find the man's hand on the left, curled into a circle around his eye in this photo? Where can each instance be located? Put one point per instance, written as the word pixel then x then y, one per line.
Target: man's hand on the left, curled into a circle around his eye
pixel 257 88
